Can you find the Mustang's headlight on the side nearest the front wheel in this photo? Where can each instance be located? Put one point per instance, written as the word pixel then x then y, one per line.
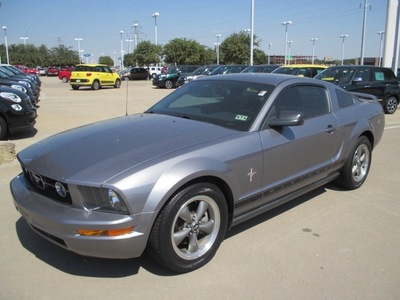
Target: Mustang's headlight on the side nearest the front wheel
pixel 101 199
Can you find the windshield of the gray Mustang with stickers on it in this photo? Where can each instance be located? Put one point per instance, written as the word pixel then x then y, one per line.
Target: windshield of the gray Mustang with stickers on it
pixel 231 104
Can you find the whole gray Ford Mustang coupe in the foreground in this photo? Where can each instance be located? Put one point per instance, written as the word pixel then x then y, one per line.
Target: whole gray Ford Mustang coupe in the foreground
pixel 214 153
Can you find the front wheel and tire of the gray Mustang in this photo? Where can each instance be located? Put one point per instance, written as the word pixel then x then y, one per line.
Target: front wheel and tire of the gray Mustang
pixel 190 228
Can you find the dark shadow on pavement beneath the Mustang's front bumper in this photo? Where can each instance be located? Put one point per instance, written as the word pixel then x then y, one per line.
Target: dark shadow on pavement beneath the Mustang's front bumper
pixel 75 264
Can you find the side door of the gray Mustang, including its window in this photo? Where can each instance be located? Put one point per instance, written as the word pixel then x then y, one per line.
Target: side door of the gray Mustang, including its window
pixel 296 156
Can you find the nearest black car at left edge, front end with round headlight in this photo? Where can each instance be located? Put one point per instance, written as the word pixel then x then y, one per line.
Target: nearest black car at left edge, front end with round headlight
pixel 17 113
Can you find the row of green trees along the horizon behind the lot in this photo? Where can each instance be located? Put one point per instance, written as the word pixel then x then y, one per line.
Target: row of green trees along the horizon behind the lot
pixel 235 49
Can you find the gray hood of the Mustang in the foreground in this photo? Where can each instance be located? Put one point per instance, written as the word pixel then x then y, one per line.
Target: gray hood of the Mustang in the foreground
pixel 94 153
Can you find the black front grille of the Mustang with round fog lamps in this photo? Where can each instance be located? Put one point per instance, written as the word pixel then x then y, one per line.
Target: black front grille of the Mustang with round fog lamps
pixel 47 187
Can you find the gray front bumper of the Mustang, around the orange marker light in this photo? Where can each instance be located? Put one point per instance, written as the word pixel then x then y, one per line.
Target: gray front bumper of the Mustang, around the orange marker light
pixel 59 223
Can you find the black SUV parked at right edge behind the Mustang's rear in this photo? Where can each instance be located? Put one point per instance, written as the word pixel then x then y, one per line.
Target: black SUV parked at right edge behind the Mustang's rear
pixel 377 81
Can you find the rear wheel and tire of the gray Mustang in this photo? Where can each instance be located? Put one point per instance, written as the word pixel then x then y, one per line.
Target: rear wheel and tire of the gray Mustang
pixel 356 168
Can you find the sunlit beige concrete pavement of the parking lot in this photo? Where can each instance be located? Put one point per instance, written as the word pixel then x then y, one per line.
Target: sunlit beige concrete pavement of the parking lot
pixel 328 244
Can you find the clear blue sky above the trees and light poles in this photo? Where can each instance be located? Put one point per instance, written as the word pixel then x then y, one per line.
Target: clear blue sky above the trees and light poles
pixel 99 23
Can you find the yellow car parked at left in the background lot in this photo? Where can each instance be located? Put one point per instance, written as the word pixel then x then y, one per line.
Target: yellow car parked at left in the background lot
pixel 94 76
